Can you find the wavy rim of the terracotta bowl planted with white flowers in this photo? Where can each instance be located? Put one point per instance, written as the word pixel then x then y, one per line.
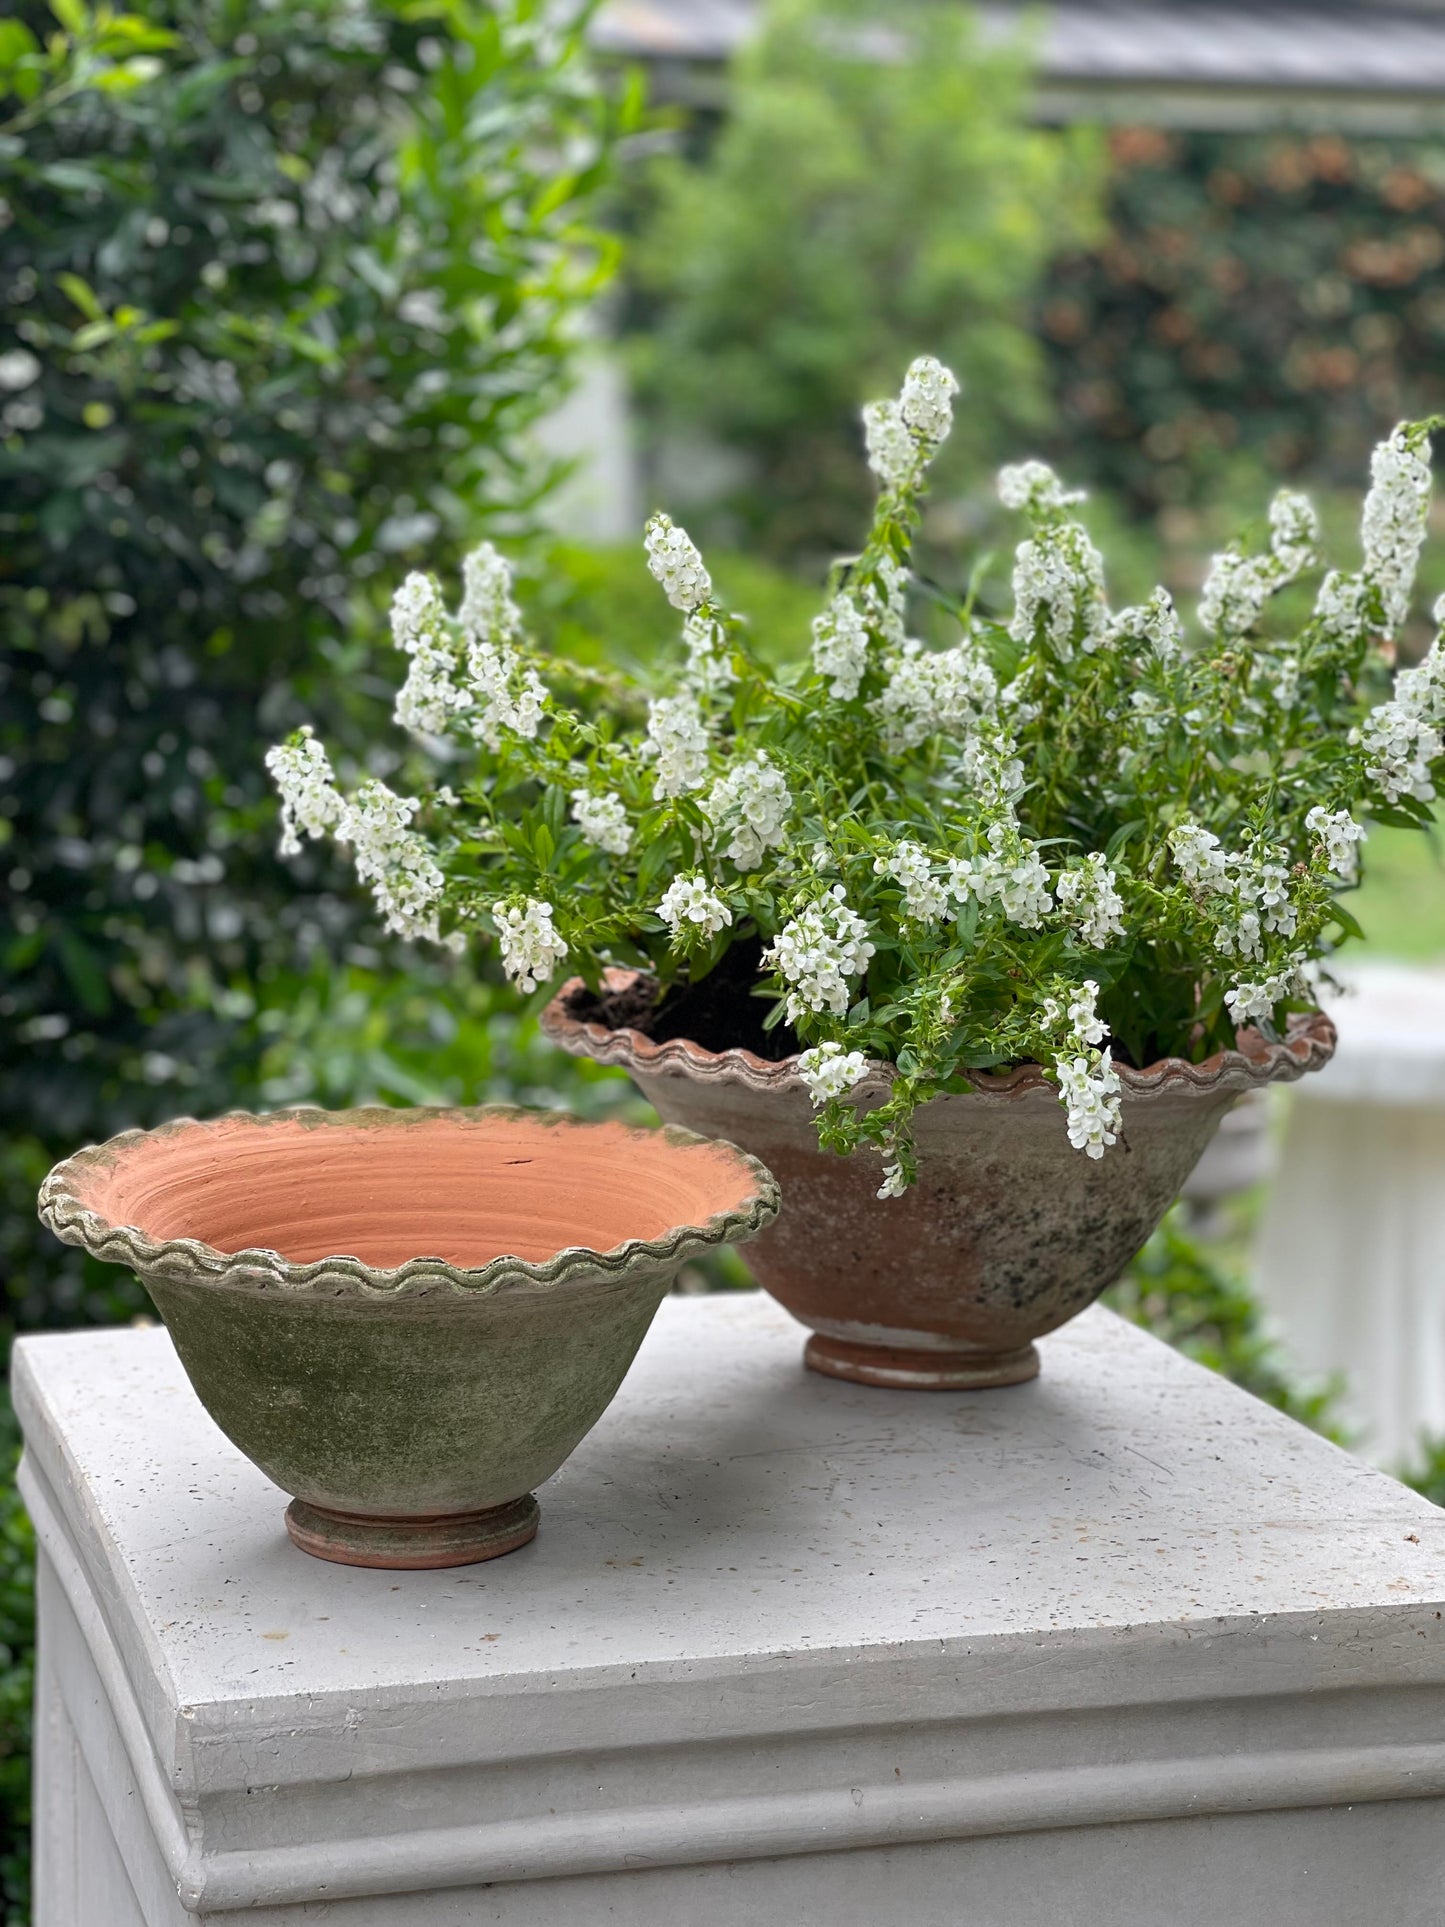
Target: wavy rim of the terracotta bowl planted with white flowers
pixel 1255 1063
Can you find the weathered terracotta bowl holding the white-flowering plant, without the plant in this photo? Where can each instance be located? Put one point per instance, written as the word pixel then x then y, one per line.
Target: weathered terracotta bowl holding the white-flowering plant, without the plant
pixel 1009 1232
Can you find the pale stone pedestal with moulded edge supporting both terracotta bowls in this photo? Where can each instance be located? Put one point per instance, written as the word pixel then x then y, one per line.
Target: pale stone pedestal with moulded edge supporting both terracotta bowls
pixel 1120 1647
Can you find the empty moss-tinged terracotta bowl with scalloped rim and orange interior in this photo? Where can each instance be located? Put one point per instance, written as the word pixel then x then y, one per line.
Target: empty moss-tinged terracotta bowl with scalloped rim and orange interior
pixel 407 1319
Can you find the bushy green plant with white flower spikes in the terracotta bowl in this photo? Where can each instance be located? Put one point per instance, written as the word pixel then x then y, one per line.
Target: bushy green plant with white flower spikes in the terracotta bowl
pixel 1055 833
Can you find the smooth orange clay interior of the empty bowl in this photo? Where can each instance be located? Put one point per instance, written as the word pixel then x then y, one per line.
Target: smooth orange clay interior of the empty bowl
pixel 394 1186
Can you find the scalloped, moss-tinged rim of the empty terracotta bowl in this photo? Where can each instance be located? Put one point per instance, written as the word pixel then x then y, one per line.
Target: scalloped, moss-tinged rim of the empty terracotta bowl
pixel 342 1277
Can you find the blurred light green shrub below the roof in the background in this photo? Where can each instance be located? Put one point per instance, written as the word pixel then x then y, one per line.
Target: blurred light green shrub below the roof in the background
pixel 853 211
